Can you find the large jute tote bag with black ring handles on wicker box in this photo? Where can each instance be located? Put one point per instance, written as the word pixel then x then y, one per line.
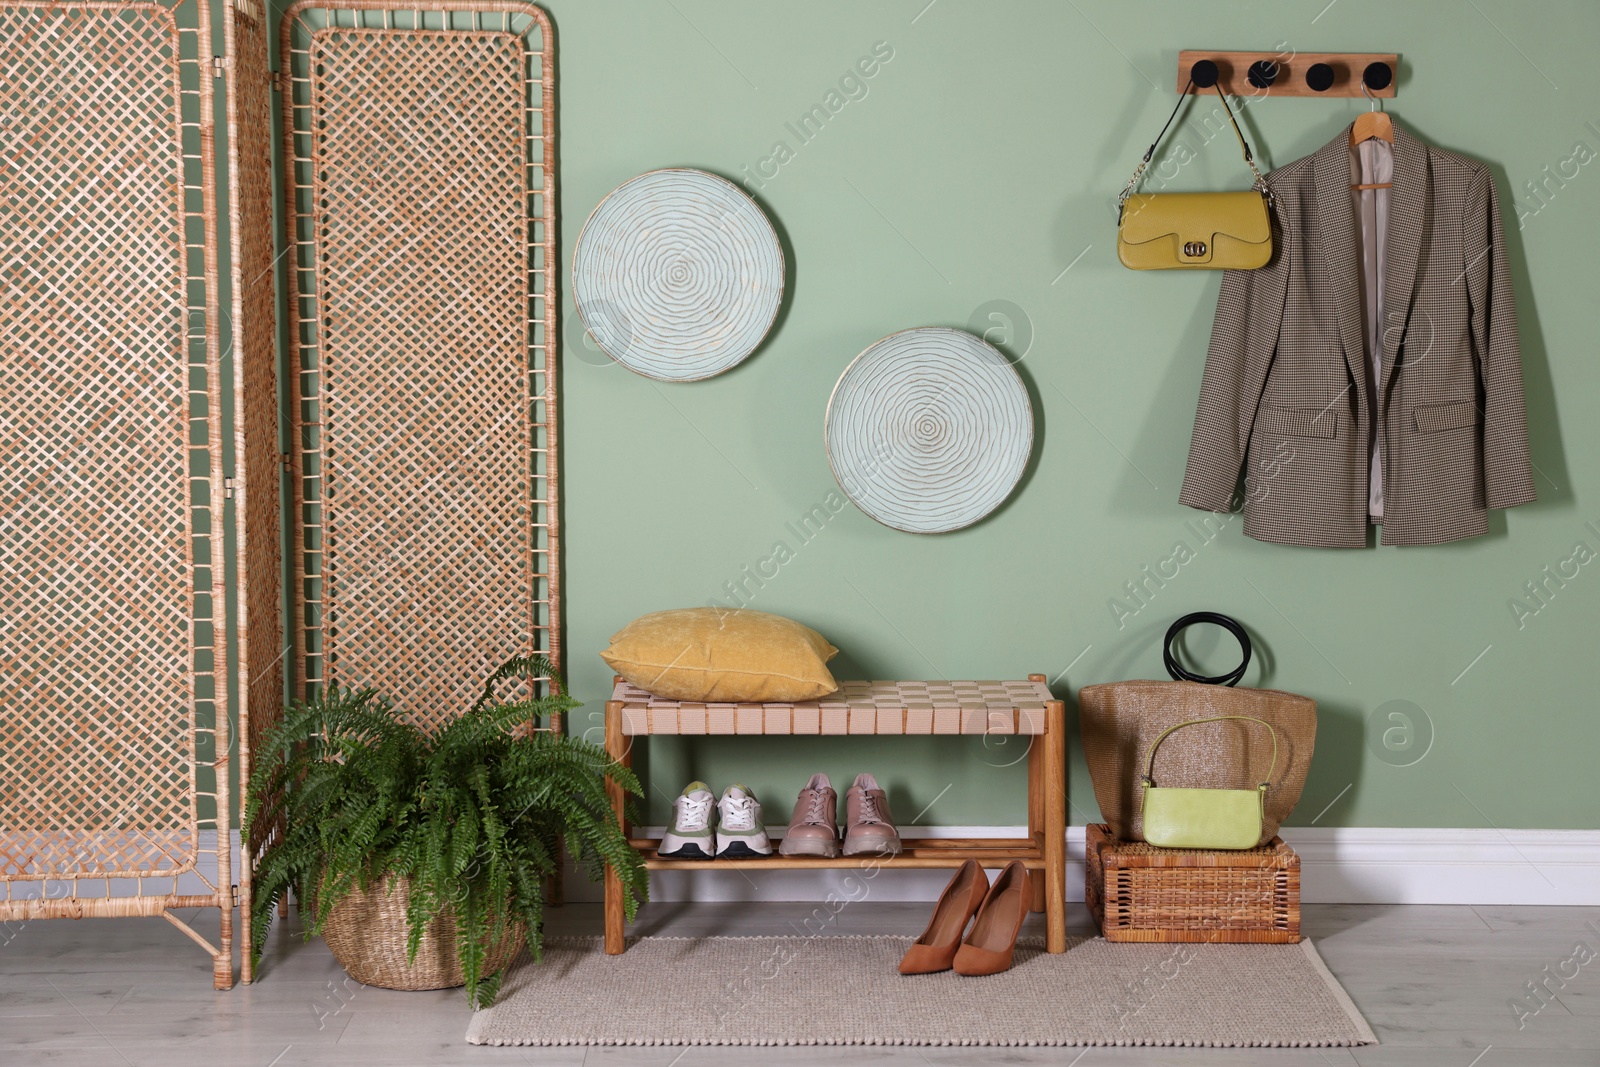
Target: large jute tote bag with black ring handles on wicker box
pixel 1121 721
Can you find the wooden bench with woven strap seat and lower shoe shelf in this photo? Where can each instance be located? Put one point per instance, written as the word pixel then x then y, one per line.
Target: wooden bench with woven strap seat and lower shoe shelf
pixel 878 708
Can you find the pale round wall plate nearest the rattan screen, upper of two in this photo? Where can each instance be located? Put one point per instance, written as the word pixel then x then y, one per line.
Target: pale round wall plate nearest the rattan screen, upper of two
pixel 678 276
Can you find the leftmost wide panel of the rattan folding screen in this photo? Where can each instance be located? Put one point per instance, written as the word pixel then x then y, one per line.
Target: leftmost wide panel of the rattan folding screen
pixel 111 366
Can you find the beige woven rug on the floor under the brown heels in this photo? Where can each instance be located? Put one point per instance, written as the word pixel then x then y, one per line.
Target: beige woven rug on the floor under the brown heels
pixel 846 991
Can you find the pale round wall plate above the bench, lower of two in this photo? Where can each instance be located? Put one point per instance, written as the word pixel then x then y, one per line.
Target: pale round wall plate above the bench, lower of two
pixel 929 430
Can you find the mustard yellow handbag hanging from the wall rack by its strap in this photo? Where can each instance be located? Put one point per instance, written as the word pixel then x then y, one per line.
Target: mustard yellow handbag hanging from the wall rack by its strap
pixel 1194 231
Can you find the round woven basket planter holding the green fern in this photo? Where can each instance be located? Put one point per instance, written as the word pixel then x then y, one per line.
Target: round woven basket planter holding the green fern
pixel 367 935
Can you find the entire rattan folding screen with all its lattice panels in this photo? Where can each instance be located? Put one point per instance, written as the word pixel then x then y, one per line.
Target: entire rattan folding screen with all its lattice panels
pixel 418 212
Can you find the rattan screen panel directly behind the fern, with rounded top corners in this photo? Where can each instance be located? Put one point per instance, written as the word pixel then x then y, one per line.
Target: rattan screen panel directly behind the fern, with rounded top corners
pixel 418 151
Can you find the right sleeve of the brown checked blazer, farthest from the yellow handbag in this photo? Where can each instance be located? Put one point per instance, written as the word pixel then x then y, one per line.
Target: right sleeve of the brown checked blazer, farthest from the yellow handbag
pixel 1508 470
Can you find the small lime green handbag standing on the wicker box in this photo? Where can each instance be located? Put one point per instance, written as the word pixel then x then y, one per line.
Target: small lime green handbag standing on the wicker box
pixel 1206 818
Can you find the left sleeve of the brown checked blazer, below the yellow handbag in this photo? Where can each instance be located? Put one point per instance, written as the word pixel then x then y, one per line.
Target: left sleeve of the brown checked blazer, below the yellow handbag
pixel 1244 343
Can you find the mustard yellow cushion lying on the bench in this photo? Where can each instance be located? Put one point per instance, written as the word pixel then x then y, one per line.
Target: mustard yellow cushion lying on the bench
pixel 724 657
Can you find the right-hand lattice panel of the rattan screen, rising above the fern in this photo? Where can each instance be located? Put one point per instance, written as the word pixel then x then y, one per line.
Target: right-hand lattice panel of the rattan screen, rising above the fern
pixel 334 586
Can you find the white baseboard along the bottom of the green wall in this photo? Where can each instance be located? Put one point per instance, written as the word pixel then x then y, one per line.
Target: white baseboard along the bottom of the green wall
pixel 1338 866
